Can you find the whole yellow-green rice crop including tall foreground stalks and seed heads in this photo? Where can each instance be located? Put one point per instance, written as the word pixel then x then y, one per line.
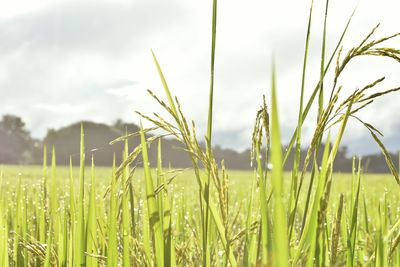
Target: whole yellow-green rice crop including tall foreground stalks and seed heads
pixel 139 215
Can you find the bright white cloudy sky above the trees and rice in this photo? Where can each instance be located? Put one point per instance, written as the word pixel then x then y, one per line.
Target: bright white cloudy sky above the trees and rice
pixel 62 61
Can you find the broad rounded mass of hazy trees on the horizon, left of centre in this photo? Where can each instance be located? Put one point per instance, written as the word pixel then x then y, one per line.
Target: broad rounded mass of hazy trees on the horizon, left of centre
pixel 97 142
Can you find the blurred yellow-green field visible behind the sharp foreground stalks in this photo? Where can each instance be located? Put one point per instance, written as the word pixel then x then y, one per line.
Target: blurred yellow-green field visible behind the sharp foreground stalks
pixel 27 216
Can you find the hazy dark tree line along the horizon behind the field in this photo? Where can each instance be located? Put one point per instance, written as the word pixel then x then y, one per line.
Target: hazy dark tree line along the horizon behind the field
pixel 18 147
